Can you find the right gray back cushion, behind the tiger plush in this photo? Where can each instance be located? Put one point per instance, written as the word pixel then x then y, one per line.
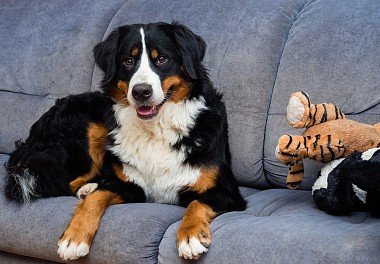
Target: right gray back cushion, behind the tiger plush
pixel 332 52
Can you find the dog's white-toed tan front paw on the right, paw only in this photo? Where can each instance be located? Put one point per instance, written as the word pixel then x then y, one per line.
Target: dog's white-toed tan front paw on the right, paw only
pixel 193 241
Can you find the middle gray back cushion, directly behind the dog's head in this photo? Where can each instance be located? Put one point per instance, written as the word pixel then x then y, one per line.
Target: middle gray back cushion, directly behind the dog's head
pixel 244 39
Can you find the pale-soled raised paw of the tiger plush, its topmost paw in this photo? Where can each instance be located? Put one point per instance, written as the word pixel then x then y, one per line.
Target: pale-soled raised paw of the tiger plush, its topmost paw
pixel 298 110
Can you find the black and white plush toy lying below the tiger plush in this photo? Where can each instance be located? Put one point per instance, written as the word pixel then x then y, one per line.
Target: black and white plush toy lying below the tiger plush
pixel 350 184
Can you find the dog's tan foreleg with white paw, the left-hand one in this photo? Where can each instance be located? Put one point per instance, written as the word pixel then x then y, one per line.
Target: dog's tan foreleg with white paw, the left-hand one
pixel 77 238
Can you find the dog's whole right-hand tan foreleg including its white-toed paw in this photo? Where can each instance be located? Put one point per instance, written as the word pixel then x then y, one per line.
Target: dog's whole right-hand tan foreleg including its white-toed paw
pixel 193 235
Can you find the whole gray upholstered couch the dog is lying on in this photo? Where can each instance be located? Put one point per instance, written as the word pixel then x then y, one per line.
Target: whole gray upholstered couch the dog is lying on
pixel 259 51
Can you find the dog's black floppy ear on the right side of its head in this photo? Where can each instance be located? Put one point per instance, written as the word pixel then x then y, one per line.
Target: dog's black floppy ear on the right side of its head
pixel 191 48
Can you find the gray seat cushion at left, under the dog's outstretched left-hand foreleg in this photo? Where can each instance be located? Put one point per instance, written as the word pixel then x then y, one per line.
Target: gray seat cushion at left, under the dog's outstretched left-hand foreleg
pixel 129 233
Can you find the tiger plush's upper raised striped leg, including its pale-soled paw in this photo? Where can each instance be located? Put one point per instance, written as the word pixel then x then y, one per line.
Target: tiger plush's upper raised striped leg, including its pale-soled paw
pixel 301 113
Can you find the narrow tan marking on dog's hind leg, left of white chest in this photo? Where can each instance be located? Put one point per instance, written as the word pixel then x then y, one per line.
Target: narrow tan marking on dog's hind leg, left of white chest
pixel 97 139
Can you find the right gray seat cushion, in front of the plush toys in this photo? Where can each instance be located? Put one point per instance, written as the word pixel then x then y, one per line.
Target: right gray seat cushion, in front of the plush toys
pixel 284 226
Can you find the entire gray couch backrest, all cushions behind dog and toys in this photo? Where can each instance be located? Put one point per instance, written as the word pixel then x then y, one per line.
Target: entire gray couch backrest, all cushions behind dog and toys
pixel 258 53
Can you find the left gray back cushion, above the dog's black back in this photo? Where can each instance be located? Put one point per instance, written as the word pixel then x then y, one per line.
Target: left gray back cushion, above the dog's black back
pixel 46 53
